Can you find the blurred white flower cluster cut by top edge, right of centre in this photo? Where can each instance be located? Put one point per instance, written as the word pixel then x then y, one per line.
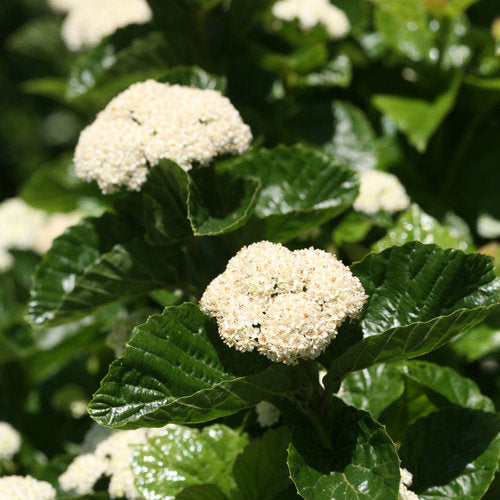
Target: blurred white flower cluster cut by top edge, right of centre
pixel 309 13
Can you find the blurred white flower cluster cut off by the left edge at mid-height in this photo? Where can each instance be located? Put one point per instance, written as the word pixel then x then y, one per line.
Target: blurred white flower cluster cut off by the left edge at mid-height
pixel 26 228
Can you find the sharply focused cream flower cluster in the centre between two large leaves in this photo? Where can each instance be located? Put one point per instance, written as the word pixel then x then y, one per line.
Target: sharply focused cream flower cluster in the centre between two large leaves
pixel 287 305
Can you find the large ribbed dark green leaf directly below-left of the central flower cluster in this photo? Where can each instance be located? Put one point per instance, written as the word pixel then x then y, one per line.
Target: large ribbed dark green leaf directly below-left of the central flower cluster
pixel 176 369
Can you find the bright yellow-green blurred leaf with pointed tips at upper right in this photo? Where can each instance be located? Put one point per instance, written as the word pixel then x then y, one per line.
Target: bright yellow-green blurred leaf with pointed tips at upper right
pixel 416 118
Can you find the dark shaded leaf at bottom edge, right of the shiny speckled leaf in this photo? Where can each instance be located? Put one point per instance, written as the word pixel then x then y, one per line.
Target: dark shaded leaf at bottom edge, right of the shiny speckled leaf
pixel 260 471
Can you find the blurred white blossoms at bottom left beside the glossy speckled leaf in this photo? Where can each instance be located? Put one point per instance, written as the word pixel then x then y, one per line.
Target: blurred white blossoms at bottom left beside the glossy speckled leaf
pixel 111 457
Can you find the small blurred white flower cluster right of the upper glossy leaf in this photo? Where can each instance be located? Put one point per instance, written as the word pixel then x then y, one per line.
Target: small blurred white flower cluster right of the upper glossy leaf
pixel 380 192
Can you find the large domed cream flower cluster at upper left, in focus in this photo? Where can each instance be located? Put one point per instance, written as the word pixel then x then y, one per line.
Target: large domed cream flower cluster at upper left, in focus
pixel 150 121
